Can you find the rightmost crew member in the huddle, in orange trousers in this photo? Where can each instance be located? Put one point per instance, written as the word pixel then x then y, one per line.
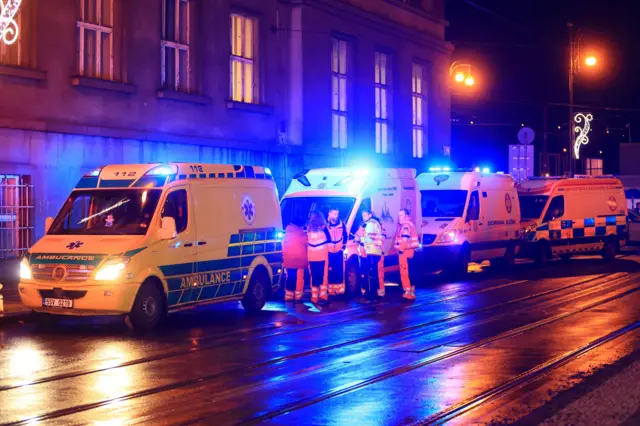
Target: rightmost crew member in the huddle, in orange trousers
pixel 406 242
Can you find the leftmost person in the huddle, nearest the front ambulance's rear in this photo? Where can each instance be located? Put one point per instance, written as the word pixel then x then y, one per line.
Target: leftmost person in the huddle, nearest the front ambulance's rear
pixel 294 259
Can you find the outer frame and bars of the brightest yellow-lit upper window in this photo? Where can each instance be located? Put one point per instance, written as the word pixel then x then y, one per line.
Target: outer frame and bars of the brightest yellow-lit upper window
pixel 243 60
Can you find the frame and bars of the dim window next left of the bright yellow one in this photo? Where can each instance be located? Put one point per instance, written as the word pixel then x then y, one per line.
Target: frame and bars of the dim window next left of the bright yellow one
pixel 177 46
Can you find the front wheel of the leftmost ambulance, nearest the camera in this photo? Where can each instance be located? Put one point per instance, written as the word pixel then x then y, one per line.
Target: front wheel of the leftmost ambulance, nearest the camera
pixel 148 308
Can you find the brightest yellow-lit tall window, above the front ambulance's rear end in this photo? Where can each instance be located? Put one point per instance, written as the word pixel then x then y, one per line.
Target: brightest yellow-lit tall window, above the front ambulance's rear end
pixel 243 59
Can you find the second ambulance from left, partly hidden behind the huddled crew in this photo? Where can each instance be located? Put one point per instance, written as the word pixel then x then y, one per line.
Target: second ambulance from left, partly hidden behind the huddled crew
pixel 383 191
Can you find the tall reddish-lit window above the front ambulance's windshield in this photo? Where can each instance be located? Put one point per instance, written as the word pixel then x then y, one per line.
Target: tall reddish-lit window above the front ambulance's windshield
pixel 95 39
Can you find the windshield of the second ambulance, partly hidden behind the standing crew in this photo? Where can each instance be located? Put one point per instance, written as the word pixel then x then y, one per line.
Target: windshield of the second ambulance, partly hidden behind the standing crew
pixel 301 207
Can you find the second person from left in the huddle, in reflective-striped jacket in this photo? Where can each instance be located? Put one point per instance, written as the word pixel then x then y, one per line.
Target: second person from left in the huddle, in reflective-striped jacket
pixel 318 255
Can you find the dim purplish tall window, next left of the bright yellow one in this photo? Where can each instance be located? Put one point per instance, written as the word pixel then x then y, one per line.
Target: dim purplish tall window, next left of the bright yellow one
pixel 175 45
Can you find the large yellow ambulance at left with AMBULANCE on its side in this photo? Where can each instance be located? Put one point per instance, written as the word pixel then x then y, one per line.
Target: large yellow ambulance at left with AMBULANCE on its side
pixel 149 239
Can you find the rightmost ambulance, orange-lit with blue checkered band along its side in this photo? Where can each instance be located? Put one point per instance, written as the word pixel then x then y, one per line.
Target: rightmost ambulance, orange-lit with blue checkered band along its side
pixel 566 216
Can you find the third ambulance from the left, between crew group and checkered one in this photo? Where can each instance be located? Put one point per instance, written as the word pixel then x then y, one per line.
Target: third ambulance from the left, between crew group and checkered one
pixel 467 216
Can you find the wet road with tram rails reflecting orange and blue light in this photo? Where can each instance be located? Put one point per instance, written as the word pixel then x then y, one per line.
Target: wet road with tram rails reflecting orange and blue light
pixel 487 349
